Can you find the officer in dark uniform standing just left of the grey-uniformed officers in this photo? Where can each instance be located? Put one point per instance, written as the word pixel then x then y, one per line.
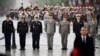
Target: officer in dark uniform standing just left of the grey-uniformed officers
pixel 36 29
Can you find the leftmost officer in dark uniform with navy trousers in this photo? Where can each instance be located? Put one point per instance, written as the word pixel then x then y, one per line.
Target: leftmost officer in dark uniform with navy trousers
pixel 7 29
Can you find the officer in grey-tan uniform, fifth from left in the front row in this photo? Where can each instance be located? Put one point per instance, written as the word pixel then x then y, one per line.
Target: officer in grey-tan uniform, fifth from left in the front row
pixel 64 30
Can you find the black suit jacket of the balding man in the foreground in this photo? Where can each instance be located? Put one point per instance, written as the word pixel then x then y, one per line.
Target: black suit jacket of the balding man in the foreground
pixel 85 49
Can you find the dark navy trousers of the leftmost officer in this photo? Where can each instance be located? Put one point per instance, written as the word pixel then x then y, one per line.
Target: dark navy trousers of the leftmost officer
pixel 7 41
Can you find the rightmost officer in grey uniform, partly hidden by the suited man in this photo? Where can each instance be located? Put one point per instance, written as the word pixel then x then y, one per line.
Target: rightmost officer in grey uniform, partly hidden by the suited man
pixel 93 28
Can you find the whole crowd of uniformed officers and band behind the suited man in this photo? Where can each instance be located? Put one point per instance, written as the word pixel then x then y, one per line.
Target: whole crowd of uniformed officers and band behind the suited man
pixel 29 18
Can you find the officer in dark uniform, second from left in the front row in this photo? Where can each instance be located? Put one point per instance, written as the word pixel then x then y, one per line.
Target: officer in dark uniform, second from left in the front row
pixel 22 29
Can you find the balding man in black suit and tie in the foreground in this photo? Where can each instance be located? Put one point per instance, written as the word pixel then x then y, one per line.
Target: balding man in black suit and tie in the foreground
pixel 84 43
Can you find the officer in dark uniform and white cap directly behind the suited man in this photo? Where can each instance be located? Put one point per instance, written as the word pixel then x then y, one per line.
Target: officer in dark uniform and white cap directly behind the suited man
pixel 77 25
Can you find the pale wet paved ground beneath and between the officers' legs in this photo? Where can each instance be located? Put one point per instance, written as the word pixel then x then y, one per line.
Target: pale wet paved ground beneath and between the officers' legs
pixel 43 44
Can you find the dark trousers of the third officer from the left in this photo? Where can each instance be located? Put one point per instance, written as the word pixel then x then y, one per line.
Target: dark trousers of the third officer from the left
pixel 35 39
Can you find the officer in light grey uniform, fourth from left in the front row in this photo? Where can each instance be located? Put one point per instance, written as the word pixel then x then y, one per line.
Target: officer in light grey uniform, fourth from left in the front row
pixel 50 27
